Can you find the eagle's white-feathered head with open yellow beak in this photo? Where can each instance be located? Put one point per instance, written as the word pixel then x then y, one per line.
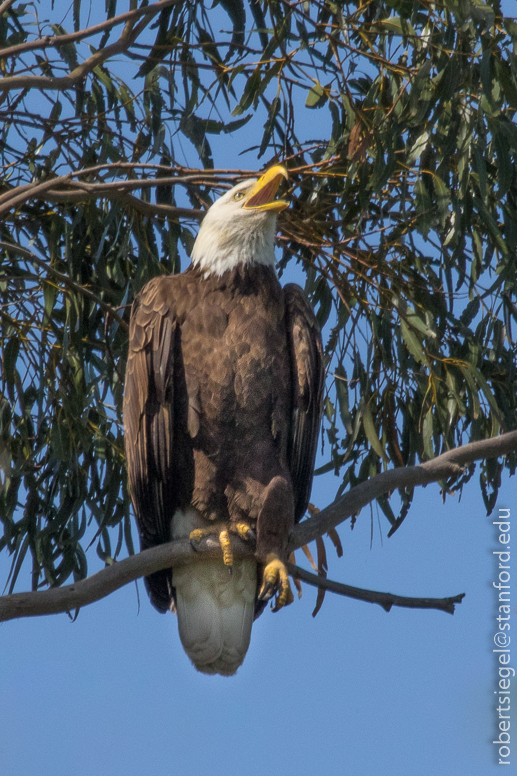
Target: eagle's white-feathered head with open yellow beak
pixel 240 227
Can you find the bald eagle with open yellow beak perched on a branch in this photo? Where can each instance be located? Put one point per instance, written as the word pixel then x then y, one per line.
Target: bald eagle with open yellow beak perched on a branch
pixel 222 410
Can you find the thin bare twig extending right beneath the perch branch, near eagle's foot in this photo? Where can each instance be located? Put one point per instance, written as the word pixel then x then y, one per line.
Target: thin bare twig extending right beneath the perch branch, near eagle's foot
pixel 386 600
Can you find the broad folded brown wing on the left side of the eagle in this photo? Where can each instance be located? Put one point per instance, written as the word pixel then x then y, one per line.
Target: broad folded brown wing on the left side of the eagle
pixel 154 418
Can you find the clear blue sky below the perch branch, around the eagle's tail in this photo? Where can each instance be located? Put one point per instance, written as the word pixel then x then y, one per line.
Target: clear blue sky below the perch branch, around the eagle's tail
pixel 353 691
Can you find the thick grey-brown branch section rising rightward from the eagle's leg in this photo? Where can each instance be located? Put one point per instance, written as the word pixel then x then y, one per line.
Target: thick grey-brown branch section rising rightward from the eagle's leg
pixel 449 464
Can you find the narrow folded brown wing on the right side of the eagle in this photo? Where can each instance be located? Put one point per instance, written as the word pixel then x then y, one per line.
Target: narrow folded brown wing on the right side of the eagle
pixel 308 379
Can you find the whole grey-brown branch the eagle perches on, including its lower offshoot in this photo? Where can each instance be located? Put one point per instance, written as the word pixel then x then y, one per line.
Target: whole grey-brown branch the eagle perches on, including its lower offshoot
pixel 108 580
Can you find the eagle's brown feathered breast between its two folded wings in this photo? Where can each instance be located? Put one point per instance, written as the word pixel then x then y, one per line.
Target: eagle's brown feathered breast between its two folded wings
pixel 234 349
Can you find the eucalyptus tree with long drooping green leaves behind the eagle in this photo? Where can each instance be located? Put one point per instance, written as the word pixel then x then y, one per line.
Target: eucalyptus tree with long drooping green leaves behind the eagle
pixel 396 120
